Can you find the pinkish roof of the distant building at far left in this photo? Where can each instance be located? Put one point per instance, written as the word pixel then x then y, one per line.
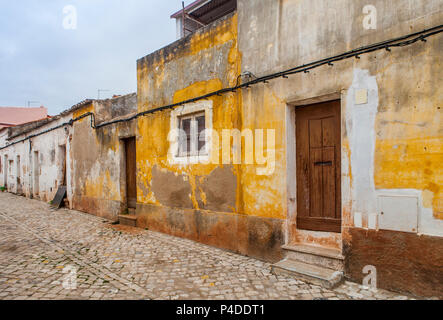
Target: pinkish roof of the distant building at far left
pixel 14 116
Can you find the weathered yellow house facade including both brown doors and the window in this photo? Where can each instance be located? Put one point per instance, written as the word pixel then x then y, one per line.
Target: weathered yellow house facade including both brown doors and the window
pixel 286 131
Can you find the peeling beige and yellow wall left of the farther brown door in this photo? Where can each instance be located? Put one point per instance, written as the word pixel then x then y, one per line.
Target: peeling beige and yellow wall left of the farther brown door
pixel 99 184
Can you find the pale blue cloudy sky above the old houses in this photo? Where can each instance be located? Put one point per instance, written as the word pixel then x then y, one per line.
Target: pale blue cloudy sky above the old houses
pixel 42 61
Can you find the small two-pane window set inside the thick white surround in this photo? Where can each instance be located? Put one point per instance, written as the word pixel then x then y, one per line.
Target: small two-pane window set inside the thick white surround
pixel 192 141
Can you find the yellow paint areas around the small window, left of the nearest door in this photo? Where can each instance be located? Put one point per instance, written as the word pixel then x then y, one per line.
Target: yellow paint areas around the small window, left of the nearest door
pixel 256 195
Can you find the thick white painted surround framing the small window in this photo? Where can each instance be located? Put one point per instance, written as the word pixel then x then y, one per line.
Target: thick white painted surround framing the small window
pixel 191 110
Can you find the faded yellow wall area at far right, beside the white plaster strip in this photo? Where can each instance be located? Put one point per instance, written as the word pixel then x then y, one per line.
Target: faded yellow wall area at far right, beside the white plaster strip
pixel 409 148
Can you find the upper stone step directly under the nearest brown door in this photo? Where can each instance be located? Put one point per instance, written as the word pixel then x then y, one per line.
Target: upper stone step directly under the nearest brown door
pixel 317 256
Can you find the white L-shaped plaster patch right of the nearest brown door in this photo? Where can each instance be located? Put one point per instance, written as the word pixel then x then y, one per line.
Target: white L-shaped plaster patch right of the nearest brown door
pixel 362 143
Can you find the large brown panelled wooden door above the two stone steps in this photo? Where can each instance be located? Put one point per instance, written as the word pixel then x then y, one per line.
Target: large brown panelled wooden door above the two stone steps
pixel 319 167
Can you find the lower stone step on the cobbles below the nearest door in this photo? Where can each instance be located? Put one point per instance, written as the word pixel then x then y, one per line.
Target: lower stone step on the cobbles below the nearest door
pixel 313 274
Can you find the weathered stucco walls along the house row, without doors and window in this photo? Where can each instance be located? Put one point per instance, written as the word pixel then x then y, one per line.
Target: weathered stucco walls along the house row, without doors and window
pixel 391 136
